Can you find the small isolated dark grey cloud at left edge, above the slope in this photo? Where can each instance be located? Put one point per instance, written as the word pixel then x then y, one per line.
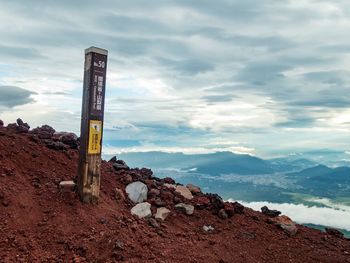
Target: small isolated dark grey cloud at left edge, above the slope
pixel 11 96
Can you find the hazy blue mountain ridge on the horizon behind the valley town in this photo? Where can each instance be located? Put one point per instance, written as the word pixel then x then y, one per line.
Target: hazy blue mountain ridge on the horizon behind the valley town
pixel 216 163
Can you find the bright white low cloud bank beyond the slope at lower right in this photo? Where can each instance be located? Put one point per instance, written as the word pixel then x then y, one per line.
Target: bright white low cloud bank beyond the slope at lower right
pixel 334 216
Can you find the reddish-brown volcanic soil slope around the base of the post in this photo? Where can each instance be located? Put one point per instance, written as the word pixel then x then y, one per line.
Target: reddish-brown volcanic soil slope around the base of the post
pixel 40 223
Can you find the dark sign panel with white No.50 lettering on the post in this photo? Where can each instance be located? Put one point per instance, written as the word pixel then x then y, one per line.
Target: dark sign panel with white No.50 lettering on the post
pixel 98 84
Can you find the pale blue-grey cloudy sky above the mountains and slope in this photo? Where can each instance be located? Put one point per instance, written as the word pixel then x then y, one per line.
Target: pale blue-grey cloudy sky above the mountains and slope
pixel 262 77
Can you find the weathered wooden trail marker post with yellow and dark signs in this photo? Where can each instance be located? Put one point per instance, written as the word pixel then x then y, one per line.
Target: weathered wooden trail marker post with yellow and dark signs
pixel 89 167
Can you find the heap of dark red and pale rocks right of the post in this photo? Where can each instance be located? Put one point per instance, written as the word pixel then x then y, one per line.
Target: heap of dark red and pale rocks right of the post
pixel 165 197
